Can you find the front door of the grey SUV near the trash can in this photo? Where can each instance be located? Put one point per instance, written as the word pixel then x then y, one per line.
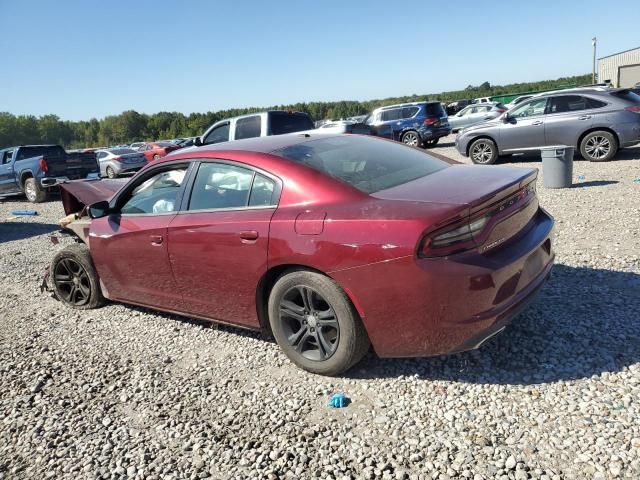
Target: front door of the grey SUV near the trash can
pixel 525 127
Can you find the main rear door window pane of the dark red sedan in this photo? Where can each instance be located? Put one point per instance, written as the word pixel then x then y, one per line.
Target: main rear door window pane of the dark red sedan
pixel 219 185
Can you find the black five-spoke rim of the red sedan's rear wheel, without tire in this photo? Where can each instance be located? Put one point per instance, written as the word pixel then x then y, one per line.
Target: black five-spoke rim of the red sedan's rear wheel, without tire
pixel 309 323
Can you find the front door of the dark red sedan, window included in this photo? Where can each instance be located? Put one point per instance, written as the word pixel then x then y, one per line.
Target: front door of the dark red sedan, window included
pixel 129 246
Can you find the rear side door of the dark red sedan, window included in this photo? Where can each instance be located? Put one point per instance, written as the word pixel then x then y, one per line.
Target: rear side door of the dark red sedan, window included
pixel 218 245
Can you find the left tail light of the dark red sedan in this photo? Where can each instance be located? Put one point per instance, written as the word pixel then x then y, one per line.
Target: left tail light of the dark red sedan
pixel 453 238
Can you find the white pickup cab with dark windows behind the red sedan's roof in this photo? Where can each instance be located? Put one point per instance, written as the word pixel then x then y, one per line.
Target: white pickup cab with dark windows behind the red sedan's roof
pixel 275 122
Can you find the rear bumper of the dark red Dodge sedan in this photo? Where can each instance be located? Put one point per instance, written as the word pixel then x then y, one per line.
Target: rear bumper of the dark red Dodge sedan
pixel 415 307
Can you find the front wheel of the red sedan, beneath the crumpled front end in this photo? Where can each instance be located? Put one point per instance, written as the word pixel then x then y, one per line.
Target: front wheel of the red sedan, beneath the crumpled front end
pixel 74 278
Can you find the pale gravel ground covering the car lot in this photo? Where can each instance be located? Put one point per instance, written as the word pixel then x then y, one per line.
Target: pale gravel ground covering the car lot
pixel 123 392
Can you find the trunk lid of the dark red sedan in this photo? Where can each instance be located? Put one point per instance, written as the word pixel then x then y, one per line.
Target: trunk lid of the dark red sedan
pixel 504 195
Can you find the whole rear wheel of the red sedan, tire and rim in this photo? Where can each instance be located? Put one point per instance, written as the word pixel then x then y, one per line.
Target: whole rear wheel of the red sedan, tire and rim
pixel 315 324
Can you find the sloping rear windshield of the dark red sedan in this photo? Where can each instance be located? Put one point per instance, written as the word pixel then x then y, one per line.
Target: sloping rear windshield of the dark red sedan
pixel 368 164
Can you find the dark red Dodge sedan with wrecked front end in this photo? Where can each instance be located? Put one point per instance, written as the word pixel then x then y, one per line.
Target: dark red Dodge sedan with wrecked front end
pixel 332 242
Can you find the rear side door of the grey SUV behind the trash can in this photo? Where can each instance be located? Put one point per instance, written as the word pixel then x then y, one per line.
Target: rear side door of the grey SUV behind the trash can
pixel 568 116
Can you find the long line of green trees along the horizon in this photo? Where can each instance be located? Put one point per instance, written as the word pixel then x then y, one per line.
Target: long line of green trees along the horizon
pixel 131 126
